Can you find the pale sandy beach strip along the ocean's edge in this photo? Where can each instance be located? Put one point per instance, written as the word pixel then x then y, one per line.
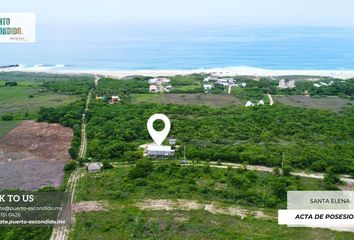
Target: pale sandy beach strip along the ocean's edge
pixel 227 71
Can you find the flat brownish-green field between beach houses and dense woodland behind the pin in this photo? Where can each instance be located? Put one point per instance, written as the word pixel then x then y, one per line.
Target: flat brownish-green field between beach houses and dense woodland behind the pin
pixel 187 99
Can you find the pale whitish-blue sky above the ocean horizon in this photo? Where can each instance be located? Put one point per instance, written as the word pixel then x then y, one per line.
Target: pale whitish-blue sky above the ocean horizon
pixel 193 12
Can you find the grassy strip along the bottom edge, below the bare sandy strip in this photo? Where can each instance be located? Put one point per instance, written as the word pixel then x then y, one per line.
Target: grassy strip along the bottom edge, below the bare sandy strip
pixel 132 223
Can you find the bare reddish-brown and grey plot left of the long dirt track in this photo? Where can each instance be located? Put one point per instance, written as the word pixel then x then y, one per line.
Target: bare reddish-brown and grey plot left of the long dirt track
pixel 33 155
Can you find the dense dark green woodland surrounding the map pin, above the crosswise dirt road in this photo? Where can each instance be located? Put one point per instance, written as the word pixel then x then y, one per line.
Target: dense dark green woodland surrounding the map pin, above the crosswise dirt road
pixel 259 135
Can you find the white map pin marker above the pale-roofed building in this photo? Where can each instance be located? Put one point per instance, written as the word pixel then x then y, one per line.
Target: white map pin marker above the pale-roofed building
pixel 158 136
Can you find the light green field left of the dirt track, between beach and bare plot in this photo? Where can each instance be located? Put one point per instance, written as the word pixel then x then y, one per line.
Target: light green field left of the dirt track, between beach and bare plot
pixel 34 91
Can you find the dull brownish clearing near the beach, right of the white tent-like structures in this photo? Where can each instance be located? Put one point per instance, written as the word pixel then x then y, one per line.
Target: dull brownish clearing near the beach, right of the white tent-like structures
pixel 324 103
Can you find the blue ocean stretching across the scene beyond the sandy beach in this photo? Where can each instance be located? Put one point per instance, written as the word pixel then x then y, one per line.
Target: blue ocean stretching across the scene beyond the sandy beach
pixel 112 47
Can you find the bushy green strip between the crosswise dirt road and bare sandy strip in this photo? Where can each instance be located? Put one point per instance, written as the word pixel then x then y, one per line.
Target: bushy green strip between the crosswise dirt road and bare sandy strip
pixel 204 183
